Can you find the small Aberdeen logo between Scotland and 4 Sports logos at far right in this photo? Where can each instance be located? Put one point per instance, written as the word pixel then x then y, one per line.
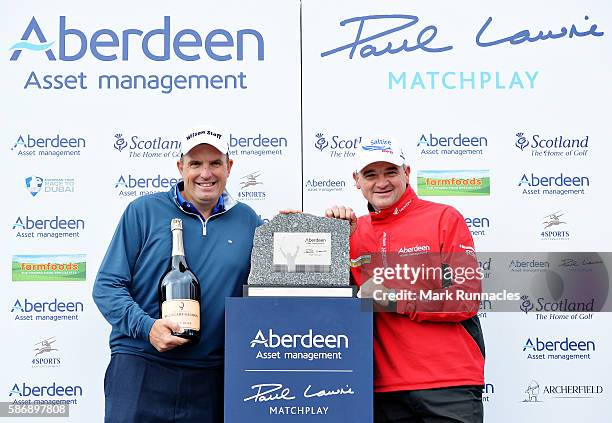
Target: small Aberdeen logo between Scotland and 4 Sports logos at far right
pixel 532 184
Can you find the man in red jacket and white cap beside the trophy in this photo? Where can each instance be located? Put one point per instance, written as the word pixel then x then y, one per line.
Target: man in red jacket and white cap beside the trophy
pixel 428 344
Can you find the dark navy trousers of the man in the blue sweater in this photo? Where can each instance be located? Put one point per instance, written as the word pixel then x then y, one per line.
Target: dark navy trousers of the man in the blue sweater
pixel 138 390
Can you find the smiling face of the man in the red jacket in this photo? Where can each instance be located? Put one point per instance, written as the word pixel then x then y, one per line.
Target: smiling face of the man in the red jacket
pixel 382 183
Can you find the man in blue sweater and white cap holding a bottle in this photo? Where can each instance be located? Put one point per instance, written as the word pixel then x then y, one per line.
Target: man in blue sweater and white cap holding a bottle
pixel 154 376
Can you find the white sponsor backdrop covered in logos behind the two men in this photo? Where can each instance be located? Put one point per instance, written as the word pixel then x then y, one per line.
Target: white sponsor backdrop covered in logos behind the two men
pixel 499 109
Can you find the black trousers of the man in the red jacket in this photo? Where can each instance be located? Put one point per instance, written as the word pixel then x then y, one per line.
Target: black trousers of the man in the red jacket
pixel 459 404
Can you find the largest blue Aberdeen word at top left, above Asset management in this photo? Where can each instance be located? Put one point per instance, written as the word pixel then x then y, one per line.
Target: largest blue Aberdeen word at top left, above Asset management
pixel 174 44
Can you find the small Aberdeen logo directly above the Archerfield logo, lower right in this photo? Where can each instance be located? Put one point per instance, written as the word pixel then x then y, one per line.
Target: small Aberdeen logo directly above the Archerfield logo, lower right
pixel 558 349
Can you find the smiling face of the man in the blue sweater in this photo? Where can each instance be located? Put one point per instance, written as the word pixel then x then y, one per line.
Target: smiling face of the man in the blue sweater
pixel 205 171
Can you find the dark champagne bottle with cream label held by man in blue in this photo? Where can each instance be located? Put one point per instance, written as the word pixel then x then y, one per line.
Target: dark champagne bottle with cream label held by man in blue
pixel 179 289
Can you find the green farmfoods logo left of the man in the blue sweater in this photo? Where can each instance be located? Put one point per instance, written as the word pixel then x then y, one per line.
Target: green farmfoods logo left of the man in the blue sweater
pixel 49 268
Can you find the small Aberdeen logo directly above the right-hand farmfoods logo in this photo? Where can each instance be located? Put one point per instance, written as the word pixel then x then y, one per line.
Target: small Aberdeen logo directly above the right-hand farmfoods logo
pixel 454 145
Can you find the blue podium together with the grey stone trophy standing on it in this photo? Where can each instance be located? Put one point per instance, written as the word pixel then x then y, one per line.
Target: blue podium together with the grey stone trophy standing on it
pixel 298 345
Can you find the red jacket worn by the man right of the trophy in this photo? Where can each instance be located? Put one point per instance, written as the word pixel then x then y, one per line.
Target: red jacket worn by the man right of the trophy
pixel 421 345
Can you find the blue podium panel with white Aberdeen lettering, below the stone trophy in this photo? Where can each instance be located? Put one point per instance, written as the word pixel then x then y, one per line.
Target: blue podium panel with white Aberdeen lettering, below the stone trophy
pixel 298 360
